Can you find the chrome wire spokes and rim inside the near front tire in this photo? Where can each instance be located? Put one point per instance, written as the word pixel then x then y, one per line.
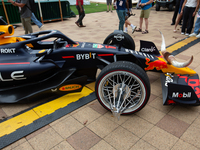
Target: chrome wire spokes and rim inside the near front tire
pixel 121 91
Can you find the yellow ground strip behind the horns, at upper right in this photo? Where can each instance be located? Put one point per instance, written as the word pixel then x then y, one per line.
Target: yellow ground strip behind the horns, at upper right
pixel 180 44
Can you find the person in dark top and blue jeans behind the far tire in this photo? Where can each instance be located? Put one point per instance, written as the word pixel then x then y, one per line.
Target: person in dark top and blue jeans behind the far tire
pixel 120 7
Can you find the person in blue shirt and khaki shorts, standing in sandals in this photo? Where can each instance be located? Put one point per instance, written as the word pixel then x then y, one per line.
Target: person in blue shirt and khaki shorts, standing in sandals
pixel 145 12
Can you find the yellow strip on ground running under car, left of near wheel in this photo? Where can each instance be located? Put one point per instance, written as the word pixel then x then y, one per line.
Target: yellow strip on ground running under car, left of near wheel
pixel 28 117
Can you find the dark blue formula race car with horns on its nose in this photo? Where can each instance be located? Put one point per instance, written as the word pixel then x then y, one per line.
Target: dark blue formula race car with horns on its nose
pixel 49 61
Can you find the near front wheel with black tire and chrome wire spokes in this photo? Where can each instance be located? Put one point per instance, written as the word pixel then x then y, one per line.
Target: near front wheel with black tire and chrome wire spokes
pixel 110 81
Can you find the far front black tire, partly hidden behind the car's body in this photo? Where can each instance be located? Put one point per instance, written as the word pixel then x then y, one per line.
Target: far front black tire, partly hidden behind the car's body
pixel 127 43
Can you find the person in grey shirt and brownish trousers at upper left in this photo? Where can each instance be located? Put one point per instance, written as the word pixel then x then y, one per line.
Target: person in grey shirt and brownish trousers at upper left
pixel 25 14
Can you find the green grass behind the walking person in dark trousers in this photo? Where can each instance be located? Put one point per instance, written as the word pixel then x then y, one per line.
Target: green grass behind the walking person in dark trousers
pixel 92 8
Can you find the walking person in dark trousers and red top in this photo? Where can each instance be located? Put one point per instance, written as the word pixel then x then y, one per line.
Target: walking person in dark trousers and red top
pixel 81 12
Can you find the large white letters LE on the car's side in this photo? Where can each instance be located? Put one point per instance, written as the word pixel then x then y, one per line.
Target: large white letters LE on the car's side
pixel 15 75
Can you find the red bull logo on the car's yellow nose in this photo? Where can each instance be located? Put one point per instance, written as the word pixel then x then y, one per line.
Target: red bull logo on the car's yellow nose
pixel 157 64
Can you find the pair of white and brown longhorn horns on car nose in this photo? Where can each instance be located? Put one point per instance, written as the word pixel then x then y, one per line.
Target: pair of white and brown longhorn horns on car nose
pixel 171 59
